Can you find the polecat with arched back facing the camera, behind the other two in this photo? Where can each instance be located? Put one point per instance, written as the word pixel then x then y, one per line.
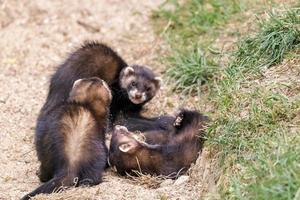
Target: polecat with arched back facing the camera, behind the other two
pixel 131 86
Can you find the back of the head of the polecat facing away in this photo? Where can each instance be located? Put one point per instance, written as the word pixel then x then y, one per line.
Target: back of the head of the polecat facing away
pixel 88 90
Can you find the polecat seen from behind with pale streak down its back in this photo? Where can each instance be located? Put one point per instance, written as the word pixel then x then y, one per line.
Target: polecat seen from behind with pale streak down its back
pixel 70 140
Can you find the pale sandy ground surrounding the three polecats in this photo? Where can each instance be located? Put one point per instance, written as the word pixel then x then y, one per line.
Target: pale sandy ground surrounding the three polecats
pixel 35 36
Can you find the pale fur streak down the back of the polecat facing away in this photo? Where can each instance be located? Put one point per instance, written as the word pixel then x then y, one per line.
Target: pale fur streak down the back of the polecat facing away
pixel 75 129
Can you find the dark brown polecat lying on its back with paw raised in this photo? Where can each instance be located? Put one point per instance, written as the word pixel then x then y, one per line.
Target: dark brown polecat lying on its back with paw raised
pixel 159 151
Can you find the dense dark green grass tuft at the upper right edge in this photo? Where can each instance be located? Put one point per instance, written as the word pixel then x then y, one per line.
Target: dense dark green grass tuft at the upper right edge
pixel 277 36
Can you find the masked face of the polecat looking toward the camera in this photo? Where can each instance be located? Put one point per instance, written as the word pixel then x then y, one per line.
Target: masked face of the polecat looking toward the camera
pixel 140 83
